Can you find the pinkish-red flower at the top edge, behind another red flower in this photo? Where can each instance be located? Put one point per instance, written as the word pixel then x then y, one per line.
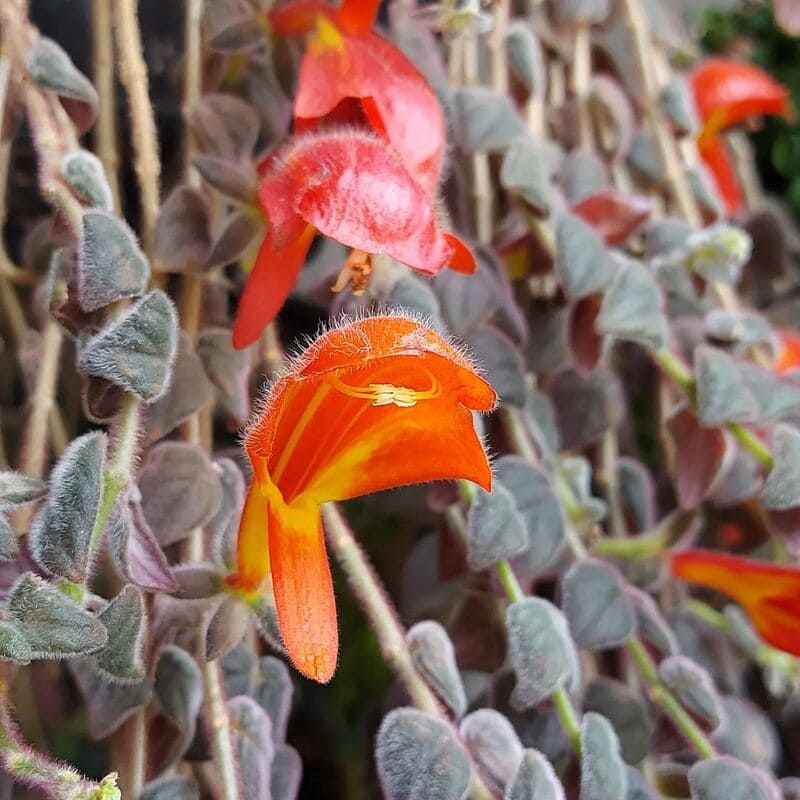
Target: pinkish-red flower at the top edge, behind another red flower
pixel 346 61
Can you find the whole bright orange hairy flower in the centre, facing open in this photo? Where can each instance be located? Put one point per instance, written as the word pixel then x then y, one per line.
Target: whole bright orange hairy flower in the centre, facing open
pixel 370 405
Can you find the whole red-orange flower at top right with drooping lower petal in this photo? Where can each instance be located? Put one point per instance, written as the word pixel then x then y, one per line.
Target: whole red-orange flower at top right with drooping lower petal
pixel 727 92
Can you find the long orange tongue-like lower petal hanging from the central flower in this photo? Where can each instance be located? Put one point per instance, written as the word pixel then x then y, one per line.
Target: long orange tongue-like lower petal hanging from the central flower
pixel 301 580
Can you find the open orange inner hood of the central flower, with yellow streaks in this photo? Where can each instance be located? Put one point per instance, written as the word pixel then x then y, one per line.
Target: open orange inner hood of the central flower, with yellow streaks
pixel 333 442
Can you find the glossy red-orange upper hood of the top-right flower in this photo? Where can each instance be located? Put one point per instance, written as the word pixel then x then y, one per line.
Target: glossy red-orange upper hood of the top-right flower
pixel 728 92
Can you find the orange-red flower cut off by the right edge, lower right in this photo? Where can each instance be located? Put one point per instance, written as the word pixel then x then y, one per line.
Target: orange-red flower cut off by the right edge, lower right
pixel 769 593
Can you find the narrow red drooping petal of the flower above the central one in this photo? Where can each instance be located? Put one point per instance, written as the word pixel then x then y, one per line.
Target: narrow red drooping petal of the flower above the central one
pixel 273 276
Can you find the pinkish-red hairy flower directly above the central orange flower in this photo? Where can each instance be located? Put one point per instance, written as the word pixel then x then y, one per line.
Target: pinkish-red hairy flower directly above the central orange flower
pixel 353 187
